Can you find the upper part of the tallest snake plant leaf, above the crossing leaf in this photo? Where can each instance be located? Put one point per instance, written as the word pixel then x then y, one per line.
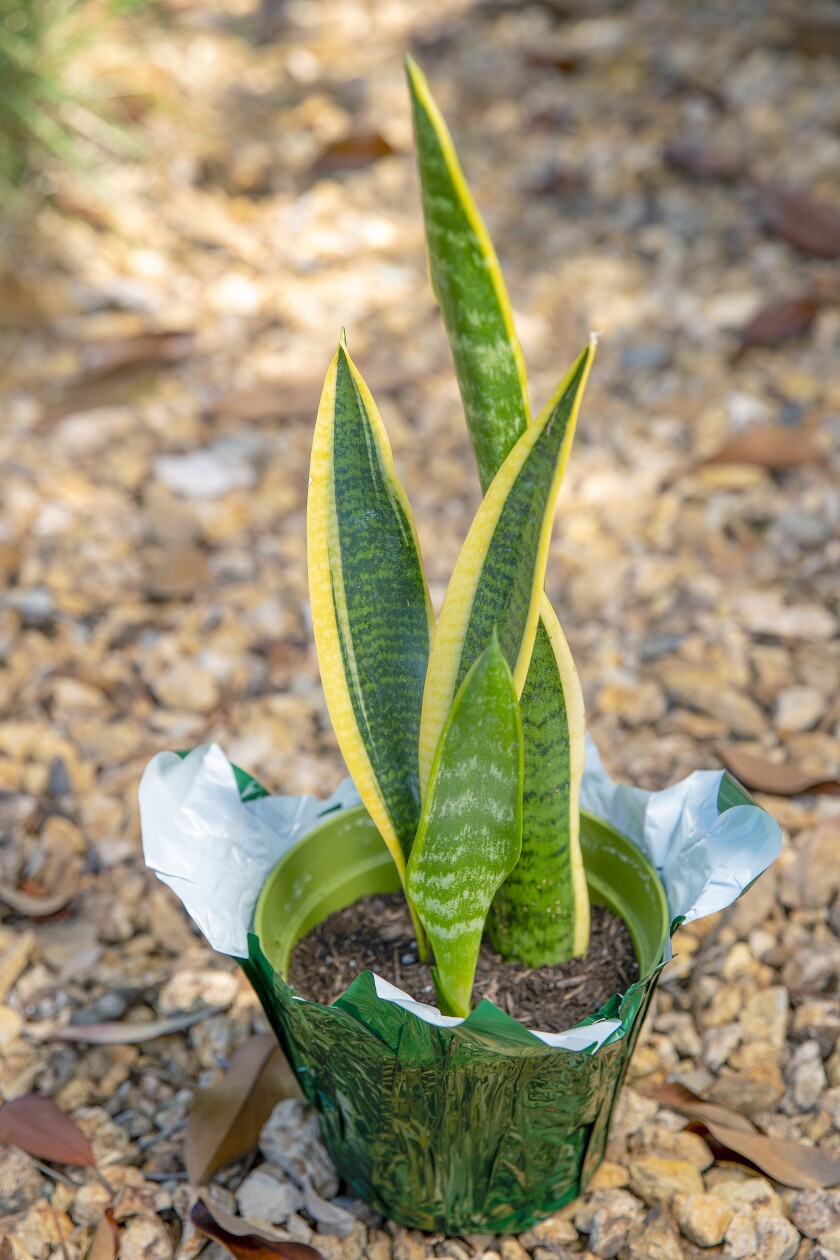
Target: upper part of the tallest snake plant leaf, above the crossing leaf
pixel 470 289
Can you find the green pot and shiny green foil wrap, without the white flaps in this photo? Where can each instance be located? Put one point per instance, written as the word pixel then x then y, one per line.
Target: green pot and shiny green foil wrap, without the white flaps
pixel 477 1128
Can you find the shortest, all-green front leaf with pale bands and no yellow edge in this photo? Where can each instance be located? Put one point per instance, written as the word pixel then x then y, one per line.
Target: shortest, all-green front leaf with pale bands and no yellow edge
pixel 470 832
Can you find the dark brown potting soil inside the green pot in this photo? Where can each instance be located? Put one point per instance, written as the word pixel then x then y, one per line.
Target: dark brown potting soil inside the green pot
pixel 376 936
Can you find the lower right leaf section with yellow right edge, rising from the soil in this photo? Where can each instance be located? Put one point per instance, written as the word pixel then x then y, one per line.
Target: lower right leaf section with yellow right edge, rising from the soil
pixel 541 915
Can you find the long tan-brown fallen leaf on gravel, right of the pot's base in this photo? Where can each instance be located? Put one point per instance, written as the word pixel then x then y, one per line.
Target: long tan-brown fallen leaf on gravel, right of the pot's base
pixel 786 1162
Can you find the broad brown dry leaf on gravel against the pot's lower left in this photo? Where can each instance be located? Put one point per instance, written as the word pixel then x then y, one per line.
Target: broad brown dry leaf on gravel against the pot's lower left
pixel 227 1118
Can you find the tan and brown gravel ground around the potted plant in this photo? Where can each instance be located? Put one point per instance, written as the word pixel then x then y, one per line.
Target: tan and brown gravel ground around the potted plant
pixel 166 326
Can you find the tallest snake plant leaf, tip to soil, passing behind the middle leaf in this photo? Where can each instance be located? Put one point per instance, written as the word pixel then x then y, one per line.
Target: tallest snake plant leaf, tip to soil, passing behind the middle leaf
pixel 477 314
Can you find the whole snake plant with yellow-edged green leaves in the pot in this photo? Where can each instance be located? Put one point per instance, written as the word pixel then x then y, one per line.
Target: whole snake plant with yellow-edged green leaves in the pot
pixel 465 739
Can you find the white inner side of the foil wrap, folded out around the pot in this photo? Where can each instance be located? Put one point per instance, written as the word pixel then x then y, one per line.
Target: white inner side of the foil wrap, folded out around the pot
pixel 216 851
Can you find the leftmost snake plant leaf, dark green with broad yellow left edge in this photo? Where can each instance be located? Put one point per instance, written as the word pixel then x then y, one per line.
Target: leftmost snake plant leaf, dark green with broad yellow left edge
pixel 372 613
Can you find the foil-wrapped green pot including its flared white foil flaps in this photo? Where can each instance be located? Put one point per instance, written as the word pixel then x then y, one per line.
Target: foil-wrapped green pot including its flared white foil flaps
pixel 445 1125
